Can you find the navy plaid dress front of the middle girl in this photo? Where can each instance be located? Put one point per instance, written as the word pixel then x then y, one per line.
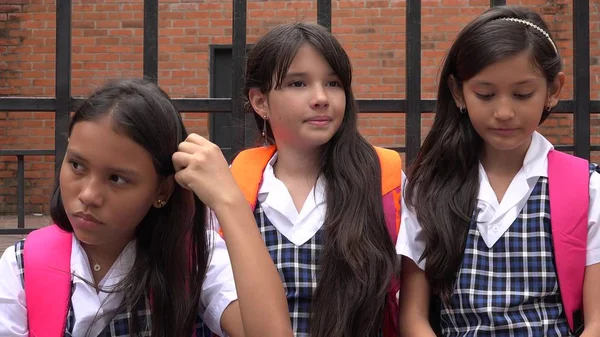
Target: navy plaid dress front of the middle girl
pixel 297 266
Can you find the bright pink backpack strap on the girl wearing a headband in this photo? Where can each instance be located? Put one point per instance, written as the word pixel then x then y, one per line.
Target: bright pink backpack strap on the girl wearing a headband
pixel 568 186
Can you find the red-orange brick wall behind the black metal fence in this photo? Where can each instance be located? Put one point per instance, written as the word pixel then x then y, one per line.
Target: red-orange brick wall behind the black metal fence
pixel 107 42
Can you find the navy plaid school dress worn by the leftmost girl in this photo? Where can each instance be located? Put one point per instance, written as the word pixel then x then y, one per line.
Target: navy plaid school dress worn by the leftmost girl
pixel 119 325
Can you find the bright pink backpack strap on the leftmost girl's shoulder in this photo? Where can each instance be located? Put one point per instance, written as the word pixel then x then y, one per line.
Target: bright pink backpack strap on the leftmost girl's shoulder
pixel 47 276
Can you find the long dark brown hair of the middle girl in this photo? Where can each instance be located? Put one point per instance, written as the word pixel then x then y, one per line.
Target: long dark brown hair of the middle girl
pixel 358 258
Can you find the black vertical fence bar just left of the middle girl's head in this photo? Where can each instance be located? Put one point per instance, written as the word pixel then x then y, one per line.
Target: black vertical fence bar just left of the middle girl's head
pixel 237 84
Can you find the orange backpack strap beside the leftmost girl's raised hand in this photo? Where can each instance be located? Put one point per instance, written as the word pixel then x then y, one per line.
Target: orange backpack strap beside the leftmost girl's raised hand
pixel 247 169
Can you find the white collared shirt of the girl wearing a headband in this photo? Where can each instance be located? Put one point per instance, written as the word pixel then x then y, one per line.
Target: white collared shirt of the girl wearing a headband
pixel 495 218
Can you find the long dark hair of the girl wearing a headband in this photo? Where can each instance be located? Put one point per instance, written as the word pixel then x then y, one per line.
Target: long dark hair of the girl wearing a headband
pixel 444 178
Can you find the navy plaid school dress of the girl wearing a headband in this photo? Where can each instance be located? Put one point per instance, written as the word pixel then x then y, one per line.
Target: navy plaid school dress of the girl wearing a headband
pixel 511 289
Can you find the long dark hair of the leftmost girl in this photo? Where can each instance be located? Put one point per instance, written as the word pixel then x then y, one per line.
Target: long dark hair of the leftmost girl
pixel 165 269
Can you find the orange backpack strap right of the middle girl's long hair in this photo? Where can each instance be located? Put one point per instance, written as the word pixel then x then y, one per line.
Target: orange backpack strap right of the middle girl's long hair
pixel 391 187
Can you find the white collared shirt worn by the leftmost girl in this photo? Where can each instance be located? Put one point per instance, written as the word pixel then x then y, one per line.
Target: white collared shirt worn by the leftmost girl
pixel 218 291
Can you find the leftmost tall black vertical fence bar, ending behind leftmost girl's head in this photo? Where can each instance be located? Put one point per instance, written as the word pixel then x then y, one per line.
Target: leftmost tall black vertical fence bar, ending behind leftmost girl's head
pixel 63 79
